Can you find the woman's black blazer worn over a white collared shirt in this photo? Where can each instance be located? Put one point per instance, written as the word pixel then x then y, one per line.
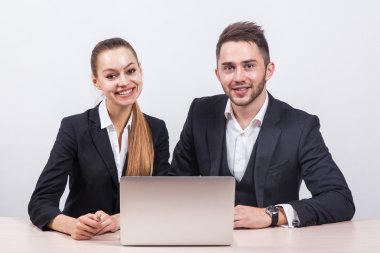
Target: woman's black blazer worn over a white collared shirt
pixel 83 152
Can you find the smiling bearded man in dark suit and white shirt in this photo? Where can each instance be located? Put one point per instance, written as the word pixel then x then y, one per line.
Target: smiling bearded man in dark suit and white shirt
pixel 268 146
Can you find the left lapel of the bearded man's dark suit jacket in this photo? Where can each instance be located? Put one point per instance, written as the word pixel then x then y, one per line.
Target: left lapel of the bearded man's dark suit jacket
pixel 216 129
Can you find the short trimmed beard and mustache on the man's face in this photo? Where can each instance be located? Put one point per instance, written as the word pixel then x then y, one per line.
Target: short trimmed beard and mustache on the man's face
pixel 254 92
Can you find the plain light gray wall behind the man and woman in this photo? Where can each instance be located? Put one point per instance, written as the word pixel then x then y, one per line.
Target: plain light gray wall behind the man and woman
pixel 326 55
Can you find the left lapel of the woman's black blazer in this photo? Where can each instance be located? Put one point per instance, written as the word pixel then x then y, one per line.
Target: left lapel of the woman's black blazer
pixel 103 145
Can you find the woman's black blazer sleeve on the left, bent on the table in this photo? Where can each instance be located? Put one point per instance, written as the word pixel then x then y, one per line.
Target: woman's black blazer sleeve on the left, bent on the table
pixel 44 203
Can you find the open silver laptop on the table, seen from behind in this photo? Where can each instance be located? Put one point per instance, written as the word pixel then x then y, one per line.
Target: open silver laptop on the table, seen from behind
pixel 176 210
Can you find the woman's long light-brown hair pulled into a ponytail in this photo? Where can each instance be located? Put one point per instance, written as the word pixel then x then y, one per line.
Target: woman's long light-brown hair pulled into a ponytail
pixel 140 143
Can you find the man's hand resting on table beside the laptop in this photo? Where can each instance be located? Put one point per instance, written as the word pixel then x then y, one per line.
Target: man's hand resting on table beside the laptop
pixel 250 217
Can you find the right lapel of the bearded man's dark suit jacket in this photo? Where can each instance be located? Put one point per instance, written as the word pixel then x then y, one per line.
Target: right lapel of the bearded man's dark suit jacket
pixel 266 143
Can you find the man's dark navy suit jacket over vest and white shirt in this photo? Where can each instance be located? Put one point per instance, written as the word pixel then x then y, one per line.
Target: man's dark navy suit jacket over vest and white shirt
pixel 290 148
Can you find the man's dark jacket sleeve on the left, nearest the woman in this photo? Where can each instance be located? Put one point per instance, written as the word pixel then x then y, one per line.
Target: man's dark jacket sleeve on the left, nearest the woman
pixel 184 161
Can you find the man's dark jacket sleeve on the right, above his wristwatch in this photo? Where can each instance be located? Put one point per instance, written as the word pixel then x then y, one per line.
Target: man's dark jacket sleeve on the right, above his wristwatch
pixel 331 199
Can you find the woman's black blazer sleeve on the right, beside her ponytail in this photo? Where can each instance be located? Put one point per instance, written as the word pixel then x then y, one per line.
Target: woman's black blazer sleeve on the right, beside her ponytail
pixel 161 152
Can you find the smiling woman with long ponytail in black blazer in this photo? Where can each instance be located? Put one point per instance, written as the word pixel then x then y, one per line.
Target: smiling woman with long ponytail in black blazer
pixel 95 148
